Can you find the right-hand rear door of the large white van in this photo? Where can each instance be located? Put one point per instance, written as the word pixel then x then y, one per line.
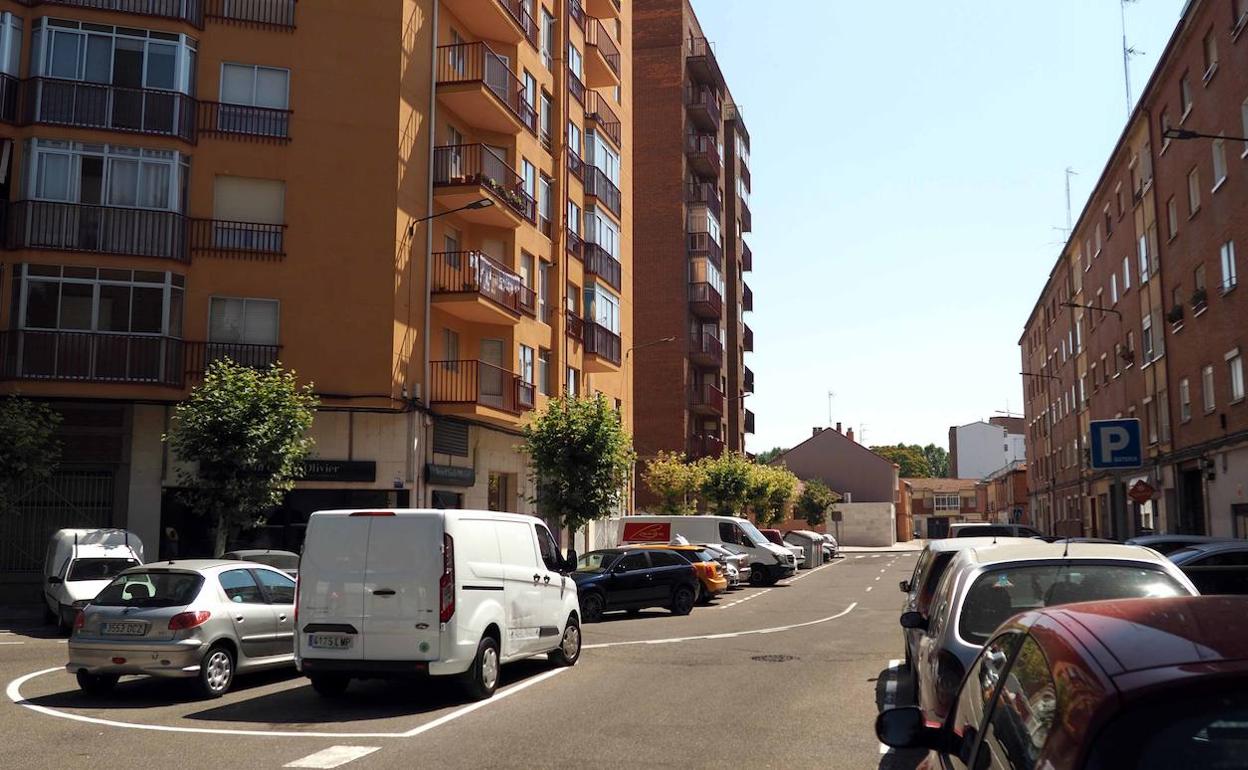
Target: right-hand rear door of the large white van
pixel 401 587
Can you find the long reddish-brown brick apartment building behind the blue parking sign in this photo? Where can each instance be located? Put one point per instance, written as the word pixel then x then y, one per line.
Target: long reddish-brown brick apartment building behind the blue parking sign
pixel 1141 316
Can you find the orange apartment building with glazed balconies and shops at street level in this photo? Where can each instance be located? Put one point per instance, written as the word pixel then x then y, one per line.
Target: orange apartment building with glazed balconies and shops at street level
pixel 422 208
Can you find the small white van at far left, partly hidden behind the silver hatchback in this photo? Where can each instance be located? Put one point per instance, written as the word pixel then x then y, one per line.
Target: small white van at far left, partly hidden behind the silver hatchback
pixel 80 563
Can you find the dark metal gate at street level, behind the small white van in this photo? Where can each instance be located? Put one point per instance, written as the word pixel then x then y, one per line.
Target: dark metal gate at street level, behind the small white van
pixel 69 500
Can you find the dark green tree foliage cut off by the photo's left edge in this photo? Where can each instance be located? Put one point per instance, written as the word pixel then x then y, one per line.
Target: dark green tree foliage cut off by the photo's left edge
pixel 29 451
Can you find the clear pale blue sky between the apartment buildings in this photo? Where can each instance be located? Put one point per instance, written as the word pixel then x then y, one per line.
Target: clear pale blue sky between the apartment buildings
pixel 908 173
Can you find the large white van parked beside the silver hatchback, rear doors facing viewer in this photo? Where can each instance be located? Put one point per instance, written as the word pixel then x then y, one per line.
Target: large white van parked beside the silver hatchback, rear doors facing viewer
pixel 409 593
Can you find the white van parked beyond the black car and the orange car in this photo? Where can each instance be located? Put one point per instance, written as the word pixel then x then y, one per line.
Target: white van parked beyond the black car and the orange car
pixel 768 561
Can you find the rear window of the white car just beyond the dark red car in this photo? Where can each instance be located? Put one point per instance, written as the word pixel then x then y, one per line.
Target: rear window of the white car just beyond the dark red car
pixel 999 595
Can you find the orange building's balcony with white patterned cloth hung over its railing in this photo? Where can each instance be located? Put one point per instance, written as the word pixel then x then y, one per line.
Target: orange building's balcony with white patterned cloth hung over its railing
pixel 471 286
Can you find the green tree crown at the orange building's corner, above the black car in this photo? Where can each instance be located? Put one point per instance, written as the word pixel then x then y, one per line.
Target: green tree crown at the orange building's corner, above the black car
pixel 581 460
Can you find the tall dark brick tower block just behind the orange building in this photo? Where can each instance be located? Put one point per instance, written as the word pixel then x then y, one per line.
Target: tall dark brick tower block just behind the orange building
pixel 693 163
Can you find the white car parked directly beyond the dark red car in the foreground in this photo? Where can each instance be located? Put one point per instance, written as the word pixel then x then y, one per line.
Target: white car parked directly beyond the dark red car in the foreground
pixel 983 587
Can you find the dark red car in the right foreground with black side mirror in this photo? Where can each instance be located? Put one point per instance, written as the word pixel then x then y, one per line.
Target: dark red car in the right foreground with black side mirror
pixel 1146 685
